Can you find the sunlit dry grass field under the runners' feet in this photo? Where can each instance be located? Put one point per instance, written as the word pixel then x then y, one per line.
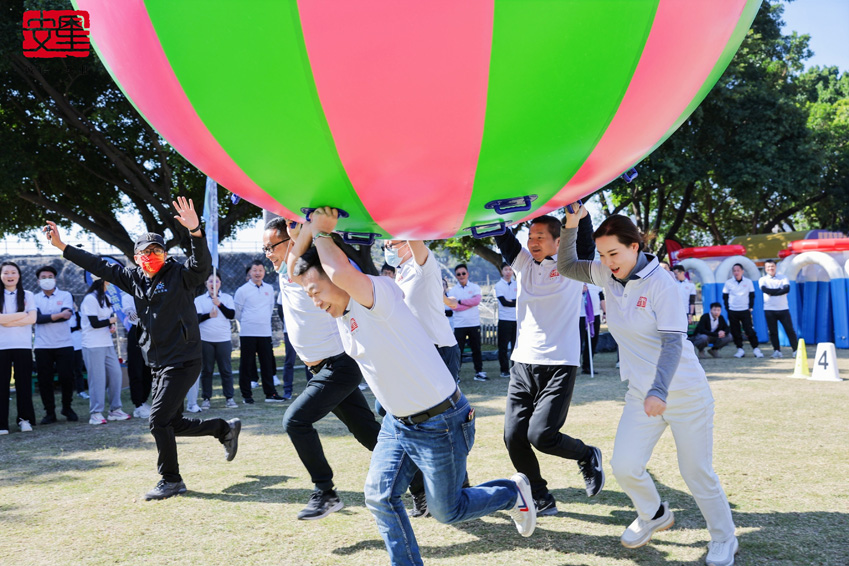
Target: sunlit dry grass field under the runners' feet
pixel 71 493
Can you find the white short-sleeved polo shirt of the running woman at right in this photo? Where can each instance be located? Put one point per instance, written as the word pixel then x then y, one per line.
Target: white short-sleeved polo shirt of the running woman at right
pixel 636 315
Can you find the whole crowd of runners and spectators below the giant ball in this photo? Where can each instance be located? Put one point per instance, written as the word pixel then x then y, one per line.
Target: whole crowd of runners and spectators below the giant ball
pixel 402 335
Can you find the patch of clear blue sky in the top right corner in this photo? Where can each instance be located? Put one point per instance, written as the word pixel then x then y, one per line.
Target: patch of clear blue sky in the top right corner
pixel 827 22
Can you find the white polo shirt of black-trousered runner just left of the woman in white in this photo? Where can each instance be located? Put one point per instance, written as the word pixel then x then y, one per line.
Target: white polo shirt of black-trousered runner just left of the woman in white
pixel 547 310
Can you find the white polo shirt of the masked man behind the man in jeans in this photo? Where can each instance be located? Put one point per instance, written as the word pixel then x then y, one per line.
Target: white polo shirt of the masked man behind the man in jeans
pixel 422 287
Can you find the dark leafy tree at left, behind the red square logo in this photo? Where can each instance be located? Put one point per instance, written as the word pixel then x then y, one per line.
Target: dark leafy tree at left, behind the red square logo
pixel 75 150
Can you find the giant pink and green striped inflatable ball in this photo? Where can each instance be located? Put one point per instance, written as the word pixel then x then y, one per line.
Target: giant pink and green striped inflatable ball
pixel 420 119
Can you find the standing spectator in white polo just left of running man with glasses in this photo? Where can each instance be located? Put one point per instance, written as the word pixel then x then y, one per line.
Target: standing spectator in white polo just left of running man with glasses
pixel 254 306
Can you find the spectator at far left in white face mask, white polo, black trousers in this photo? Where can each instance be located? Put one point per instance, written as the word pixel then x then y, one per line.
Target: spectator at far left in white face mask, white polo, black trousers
pixel 54 349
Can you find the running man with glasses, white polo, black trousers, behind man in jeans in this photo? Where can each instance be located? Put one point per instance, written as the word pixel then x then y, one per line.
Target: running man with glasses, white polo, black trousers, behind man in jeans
pixel 333 379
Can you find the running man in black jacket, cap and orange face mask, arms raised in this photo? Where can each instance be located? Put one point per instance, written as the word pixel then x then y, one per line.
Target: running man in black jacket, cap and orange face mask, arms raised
pixel 169 336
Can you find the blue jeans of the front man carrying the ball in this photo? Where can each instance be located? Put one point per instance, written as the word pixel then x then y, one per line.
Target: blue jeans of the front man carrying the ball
pixel 438 447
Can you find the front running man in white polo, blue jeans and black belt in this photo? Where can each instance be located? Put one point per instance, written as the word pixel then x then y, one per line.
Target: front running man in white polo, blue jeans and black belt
pixel 429 422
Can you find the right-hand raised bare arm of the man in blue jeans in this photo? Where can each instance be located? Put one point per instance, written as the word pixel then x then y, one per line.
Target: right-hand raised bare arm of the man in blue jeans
pixel 334 261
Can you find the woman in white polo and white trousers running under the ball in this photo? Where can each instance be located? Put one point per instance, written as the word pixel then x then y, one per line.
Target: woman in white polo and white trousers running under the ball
pixel 667 385
